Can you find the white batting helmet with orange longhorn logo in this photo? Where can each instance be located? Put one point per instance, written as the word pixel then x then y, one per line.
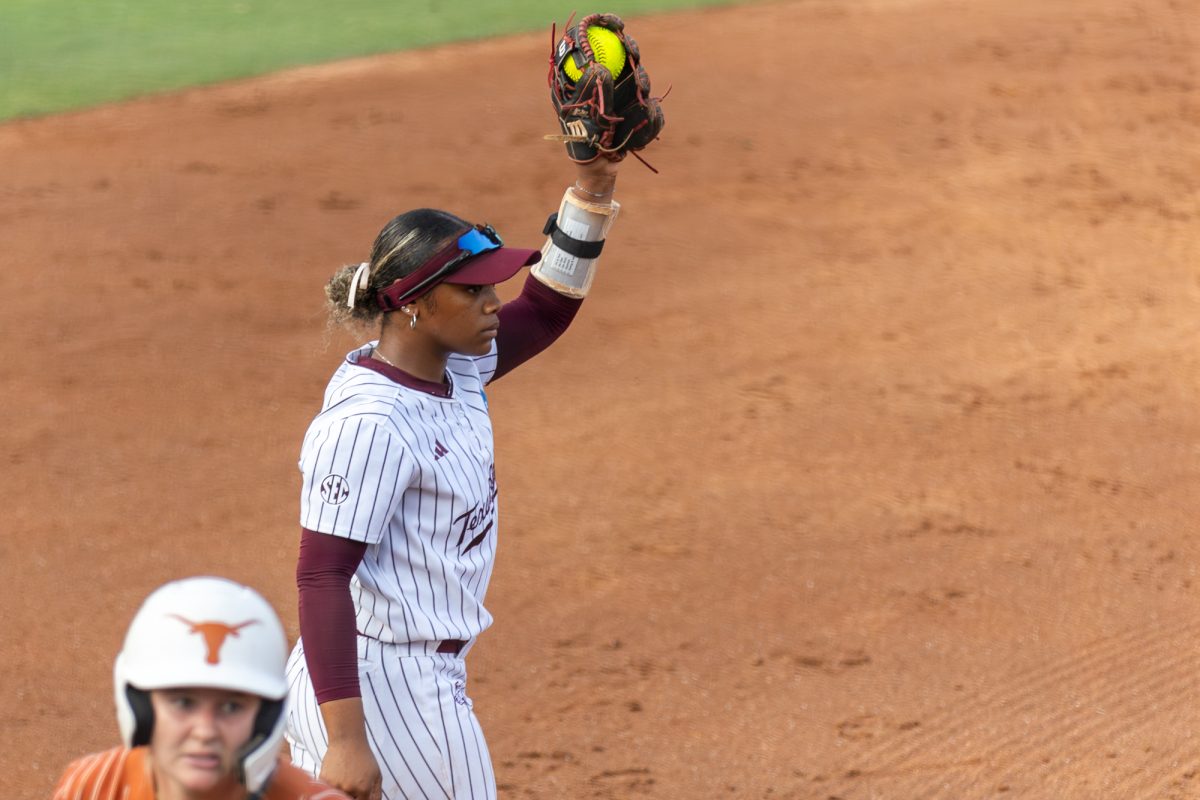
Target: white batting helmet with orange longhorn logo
pixel 212 634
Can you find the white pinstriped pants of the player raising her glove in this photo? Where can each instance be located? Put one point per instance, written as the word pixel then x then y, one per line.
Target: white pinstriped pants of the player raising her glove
pixel 421 724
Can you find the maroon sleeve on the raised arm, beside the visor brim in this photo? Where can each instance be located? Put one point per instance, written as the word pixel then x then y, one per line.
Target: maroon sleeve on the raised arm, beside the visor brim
pixel 531 323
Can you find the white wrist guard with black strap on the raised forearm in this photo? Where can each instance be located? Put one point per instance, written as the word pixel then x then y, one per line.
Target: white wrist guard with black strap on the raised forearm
pixel 575 237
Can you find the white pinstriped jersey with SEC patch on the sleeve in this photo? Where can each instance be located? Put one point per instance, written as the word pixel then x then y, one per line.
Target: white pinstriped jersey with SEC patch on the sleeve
pixel 412 476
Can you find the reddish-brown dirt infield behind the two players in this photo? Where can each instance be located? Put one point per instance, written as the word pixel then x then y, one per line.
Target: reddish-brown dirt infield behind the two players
pixel 885 478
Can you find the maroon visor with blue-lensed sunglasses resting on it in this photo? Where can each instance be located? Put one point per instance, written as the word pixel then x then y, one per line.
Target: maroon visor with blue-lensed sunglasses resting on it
pixel 478 257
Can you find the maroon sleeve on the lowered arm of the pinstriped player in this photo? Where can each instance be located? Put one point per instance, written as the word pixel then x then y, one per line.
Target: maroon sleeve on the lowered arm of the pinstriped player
pixel 327 613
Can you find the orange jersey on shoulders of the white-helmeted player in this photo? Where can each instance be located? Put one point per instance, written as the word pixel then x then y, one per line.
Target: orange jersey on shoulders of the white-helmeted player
pixel 122 774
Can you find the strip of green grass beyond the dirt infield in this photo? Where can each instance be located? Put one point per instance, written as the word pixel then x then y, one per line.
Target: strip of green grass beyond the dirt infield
pixel 65 55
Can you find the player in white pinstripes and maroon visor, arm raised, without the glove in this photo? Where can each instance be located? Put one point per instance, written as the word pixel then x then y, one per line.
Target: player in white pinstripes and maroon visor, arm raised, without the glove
pixel 399 504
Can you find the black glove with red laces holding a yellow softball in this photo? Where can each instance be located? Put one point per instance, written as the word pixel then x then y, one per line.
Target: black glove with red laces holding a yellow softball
pixel 605 110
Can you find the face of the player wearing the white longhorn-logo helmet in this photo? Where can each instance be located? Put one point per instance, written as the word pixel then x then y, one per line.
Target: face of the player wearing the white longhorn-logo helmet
pixel 196 735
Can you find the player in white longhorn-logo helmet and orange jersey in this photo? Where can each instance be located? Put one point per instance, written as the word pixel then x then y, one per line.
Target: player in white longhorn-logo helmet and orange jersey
pixel 200 691
